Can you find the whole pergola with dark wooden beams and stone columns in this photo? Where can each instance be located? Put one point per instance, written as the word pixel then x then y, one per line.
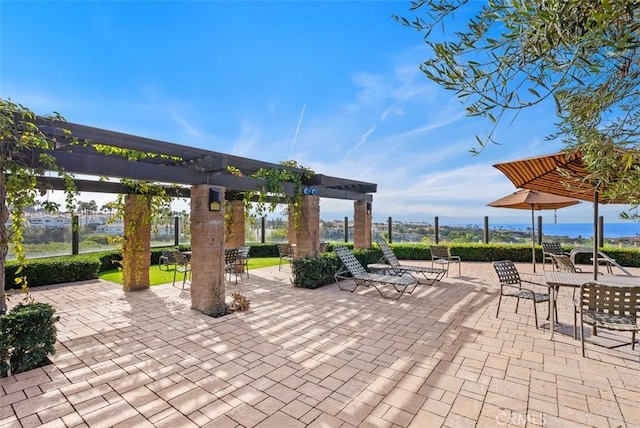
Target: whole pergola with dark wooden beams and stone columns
pixel 196 172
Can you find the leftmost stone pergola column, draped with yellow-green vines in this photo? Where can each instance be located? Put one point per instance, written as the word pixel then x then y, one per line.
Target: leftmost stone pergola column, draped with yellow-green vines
pixel 136 248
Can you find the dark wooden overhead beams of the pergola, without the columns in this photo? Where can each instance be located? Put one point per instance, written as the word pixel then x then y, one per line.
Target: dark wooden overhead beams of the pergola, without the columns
pixel 171 163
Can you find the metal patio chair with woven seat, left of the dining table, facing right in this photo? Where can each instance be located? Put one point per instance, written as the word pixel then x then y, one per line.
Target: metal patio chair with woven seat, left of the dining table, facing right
pixel 511 285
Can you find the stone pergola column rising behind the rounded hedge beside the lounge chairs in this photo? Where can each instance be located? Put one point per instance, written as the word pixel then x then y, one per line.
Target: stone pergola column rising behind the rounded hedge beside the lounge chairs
pixel 307 235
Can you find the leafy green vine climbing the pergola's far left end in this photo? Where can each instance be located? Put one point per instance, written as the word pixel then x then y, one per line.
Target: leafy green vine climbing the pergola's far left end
pixel 23 145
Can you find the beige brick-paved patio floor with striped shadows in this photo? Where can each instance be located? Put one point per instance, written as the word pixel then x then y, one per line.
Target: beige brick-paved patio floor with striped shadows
pixel 318 358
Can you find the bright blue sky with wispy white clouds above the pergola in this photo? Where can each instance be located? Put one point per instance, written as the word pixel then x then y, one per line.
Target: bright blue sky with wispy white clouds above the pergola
pixel 334 85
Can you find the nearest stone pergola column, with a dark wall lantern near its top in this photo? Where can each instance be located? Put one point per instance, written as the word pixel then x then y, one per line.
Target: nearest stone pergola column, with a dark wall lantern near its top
pixel 207 251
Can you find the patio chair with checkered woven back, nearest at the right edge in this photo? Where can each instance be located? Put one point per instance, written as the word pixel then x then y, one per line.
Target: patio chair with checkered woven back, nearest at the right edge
pixel 608 306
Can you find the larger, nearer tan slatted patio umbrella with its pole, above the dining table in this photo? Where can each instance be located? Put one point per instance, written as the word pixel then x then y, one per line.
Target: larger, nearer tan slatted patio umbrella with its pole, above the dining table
pixel 561 174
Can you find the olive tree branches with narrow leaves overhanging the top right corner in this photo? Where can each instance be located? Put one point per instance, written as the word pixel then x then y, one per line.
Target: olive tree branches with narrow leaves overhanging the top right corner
pixel 580 55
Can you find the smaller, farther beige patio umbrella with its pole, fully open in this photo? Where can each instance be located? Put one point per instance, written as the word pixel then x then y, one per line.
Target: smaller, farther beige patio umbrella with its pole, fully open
pixel 533 200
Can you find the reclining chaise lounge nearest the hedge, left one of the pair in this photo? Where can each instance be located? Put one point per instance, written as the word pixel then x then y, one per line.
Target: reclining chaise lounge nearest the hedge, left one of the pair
pixel 352 269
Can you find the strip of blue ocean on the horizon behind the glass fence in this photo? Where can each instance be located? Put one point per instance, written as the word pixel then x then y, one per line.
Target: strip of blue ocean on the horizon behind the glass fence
pixel 574 230
